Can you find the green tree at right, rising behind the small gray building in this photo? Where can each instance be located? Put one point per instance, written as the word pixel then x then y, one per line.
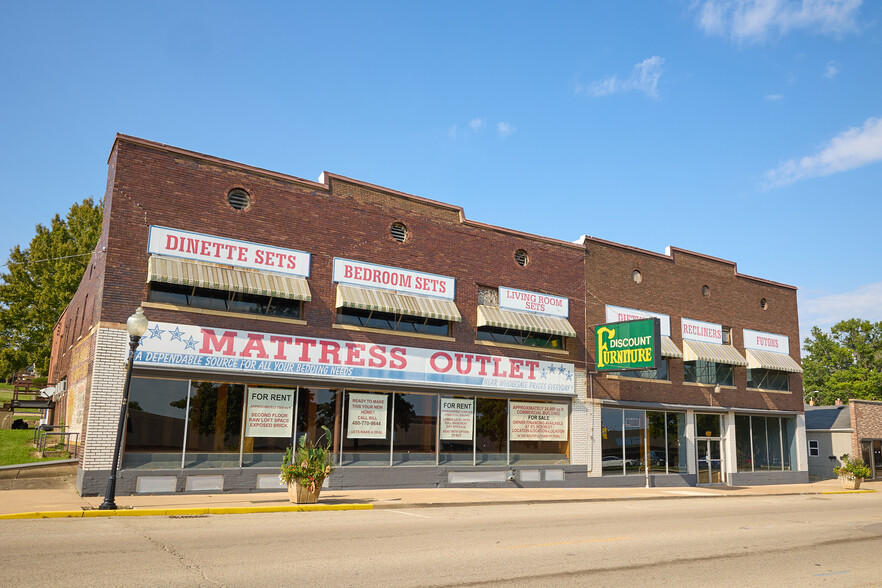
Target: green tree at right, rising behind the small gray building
pixel 844 363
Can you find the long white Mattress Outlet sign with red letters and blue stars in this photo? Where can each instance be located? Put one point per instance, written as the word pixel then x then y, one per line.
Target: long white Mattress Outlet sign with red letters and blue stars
pixel 192 347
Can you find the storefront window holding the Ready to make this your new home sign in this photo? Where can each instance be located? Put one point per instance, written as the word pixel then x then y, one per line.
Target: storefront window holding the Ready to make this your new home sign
pixel 367 428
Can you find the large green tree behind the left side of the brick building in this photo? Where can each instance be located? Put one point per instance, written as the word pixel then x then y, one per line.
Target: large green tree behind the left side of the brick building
pixel 39 283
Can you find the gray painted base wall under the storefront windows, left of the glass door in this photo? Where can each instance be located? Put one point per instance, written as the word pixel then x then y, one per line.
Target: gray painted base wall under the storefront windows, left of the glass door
pixel 245 480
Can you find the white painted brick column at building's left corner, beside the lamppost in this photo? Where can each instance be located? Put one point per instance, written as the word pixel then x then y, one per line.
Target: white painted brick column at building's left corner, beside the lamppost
pixel 108 379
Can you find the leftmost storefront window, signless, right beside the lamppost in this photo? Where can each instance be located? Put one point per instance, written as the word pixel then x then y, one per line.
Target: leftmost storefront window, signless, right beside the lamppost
pixel 155 429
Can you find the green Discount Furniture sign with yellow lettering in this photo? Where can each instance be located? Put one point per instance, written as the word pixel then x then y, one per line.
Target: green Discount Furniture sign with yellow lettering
pixel 629 345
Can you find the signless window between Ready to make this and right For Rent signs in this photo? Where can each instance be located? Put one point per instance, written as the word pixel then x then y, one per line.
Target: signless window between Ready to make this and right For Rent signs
pixel 413 439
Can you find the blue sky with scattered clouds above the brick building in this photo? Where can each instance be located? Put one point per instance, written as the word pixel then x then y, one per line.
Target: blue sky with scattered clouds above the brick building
pixel 746 130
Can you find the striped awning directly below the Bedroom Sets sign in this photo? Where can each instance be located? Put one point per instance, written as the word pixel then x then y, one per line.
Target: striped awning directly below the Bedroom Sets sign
pixel 389 301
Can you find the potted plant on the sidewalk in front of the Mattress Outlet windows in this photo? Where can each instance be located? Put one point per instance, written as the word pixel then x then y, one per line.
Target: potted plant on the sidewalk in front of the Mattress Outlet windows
pixel 305 468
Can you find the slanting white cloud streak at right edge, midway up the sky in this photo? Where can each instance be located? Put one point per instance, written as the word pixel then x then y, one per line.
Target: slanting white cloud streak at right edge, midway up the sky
pixel 856 147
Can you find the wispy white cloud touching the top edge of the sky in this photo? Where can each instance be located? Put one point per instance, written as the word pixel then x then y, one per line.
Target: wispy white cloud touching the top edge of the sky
pixel 757 20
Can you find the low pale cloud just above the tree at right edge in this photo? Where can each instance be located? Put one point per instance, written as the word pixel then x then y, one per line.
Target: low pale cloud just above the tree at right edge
pixel 864 302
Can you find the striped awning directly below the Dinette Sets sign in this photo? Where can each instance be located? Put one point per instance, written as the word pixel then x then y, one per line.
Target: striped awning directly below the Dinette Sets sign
pixel 172 270
